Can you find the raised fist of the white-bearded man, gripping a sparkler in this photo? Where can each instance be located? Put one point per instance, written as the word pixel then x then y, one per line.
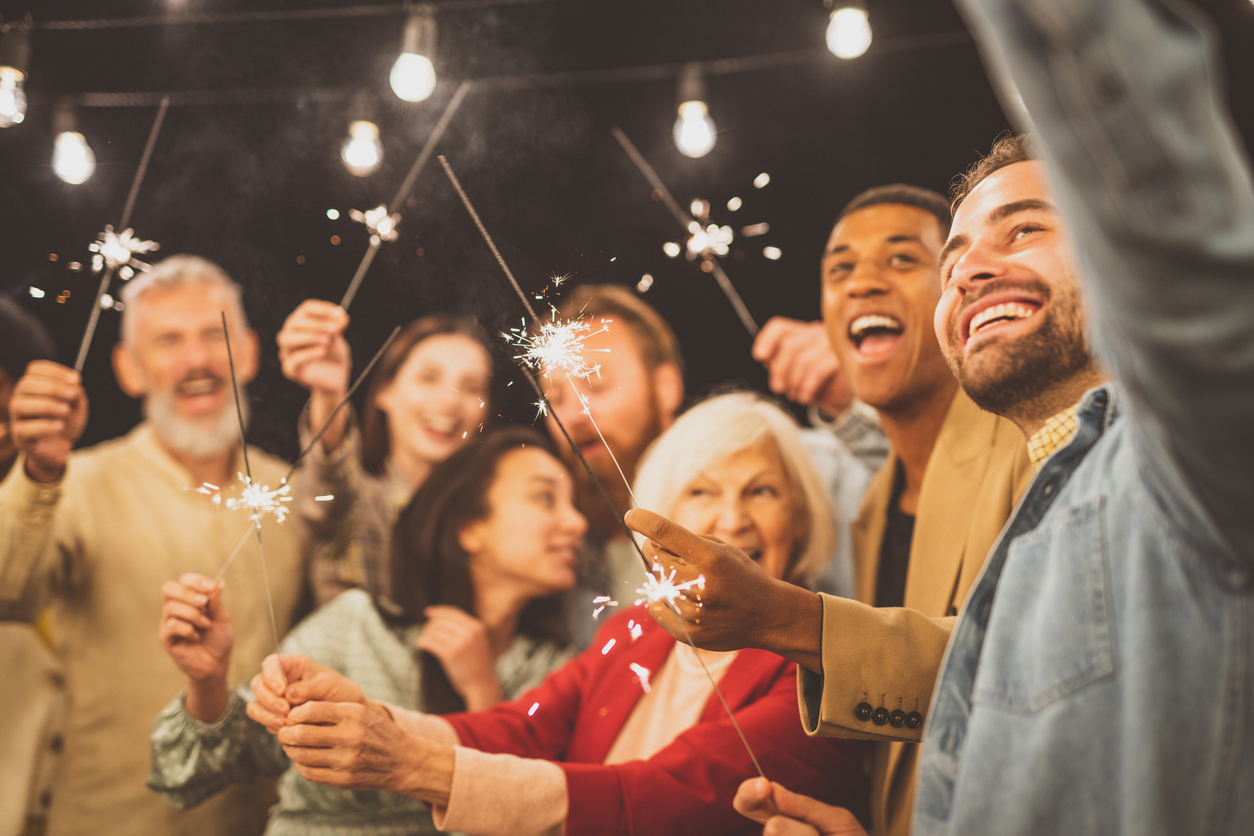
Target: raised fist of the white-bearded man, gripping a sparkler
pixel 47 415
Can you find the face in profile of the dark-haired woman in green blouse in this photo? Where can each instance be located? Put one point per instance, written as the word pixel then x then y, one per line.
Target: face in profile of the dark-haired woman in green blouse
pixel 532 535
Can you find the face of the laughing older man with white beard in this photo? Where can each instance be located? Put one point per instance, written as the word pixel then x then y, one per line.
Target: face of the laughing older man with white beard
pixel 180 355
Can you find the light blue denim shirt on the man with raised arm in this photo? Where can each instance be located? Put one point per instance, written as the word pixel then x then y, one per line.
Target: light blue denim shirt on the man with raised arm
pixel 1100 679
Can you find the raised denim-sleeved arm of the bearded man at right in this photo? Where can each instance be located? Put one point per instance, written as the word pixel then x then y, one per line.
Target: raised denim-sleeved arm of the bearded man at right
pixel 1129 117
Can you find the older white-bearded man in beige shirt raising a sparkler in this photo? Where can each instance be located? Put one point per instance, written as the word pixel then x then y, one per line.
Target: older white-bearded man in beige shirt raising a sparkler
pixel 97 532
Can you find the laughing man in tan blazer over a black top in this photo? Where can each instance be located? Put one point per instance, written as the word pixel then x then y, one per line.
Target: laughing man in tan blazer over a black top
pixel 936 507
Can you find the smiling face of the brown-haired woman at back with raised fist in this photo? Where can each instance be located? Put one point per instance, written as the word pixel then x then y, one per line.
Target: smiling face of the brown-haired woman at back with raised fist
pixel 438 397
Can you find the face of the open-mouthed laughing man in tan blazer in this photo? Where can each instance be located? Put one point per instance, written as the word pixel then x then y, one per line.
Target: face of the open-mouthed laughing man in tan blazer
pixel 881 288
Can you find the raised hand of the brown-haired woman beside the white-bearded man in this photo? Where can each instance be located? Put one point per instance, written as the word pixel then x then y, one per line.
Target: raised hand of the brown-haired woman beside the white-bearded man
pixel 314 354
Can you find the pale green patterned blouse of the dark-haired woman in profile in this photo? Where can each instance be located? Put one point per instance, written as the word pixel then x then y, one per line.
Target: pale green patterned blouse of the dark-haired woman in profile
pixel 194 760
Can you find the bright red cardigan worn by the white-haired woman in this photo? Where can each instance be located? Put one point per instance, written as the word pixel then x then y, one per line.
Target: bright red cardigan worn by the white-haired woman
pixel 688 788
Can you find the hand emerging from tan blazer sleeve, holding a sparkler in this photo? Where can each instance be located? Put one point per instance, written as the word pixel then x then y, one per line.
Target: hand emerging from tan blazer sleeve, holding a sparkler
pixel 738 606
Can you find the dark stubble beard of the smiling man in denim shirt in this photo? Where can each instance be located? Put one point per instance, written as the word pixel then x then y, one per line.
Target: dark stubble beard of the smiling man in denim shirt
pixel 1011 380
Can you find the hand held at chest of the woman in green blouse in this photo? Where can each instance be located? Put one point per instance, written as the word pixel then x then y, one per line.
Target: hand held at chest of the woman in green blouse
pixel 460 641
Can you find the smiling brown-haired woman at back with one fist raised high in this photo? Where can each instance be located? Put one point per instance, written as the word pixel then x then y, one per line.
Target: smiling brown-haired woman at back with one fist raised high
pixel 428 395
